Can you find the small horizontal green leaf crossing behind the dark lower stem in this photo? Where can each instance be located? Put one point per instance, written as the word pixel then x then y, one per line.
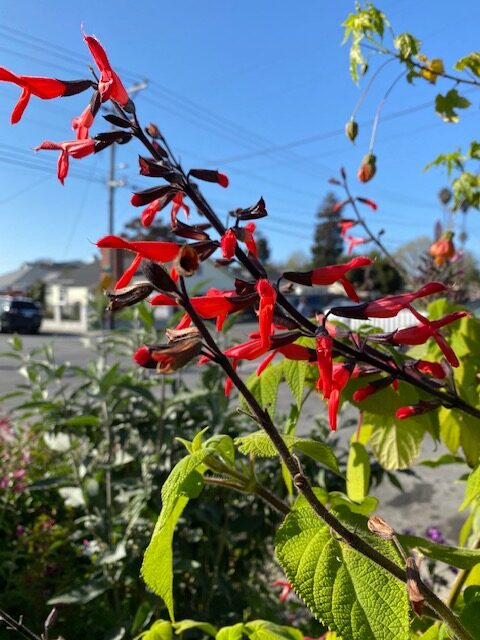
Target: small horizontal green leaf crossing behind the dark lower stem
pixel 260 445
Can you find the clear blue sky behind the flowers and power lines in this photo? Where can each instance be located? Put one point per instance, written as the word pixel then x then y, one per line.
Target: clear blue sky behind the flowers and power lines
pixel 230 83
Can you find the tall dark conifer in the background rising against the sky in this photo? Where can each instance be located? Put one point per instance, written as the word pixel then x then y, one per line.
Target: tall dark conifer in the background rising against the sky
pixel 328 242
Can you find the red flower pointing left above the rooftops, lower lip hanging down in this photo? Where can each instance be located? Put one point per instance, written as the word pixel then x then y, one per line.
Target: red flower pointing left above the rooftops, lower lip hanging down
pixel 156 251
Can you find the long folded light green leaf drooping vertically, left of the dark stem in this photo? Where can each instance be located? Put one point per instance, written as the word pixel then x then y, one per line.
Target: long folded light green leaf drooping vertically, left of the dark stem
pixel 183 483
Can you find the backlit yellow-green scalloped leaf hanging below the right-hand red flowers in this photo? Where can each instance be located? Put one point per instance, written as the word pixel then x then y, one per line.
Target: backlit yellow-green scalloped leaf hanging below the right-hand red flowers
pixel 395 443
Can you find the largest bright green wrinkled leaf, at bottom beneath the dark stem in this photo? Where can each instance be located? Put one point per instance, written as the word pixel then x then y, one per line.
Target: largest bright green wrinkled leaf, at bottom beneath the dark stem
pixel 346 591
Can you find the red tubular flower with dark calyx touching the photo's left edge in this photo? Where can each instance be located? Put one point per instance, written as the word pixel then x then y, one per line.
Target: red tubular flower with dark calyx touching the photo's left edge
pixel 44 88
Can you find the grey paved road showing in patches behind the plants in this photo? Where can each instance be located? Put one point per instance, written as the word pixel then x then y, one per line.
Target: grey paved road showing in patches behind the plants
pixel 431 500
